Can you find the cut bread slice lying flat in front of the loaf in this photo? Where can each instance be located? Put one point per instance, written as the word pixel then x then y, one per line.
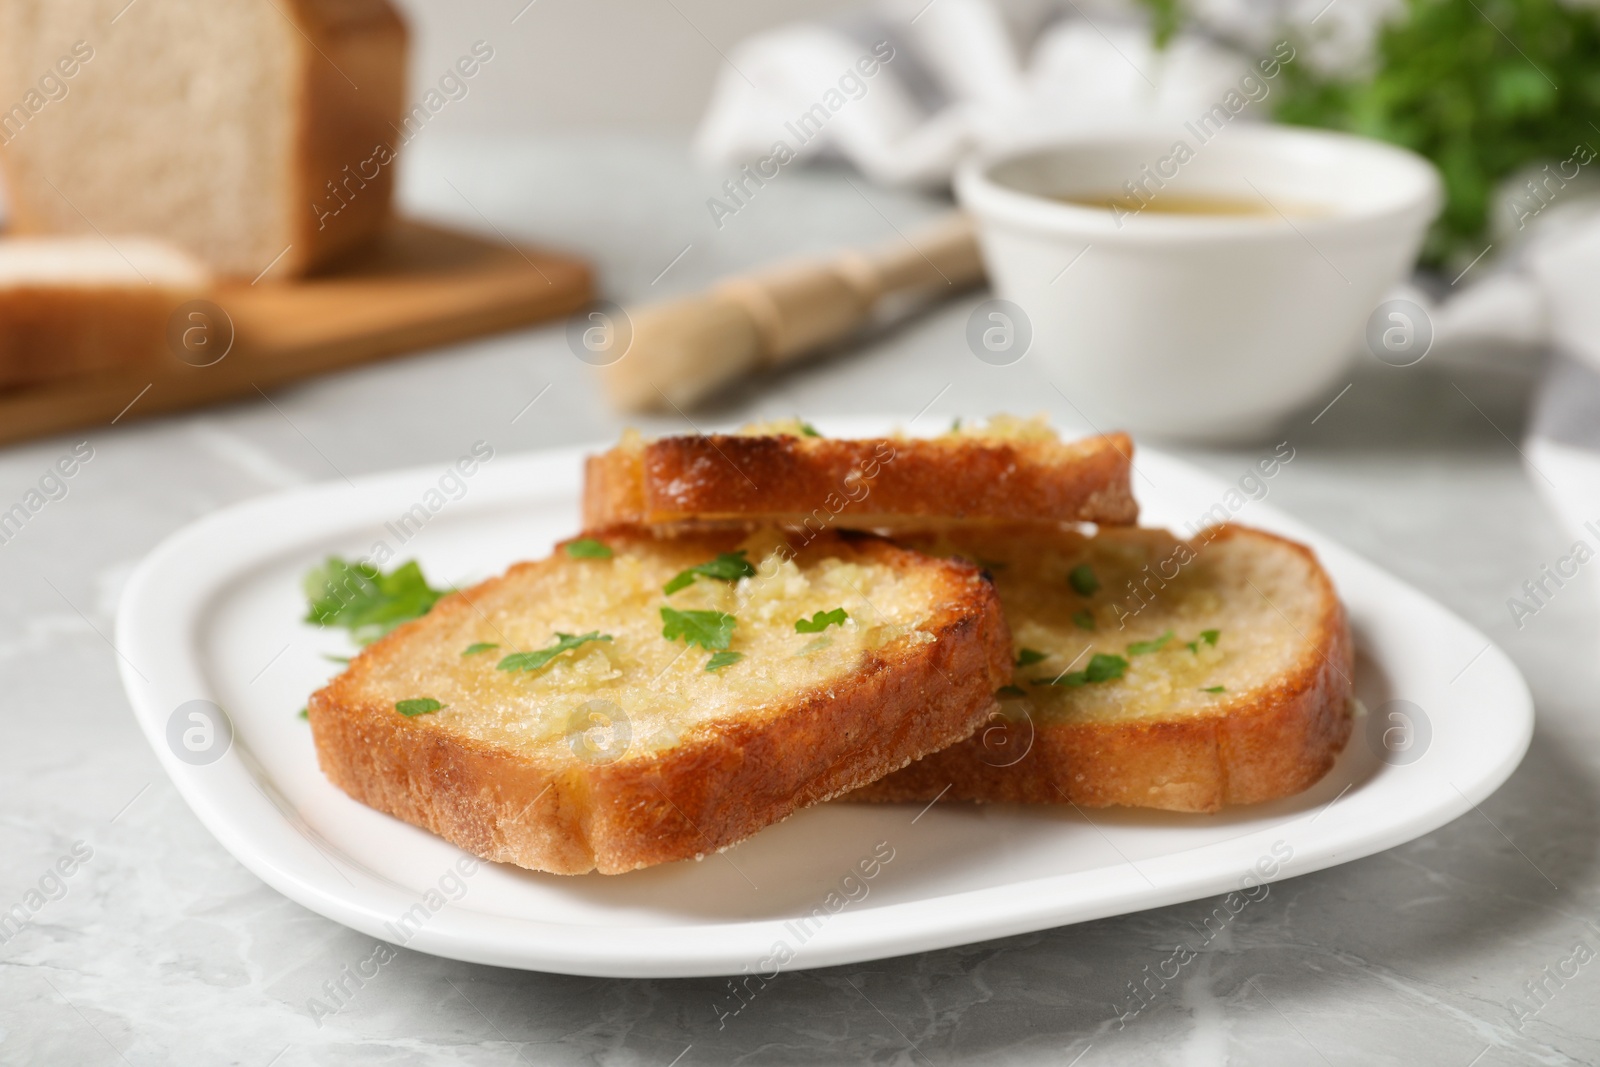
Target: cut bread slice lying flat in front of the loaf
pixel 79 305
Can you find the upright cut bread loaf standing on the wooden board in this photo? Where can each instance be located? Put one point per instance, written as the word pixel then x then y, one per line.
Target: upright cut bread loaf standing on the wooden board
pixel 255 134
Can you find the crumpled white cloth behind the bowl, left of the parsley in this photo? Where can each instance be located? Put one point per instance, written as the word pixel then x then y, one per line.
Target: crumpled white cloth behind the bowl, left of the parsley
pixel 986 74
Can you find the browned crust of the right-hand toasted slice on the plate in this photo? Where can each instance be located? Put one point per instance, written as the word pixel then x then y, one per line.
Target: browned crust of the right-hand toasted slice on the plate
pixel 1270 743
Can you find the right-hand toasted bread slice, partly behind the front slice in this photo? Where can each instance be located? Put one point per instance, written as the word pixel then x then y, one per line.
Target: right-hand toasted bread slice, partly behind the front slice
pixel 1234 690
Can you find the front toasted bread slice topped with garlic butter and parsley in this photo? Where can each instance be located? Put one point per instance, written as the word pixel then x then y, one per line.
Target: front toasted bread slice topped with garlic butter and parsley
pixel 631 749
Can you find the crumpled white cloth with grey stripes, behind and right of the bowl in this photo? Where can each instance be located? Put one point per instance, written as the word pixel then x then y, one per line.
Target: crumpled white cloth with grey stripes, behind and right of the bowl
pixel 956 78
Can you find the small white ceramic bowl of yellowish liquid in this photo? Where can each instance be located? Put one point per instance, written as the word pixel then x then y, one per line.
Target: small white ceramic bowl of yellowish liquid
pixel 1201 326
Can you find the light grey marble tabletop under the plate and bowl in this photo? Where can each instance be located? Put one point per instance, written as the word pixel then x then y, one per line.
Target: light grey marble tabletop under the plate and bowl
pixel 161 949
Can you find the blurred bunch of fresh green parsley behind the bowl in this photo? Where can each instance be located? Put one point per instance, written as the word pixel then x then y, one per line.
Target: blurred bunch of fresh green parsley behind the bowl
pixel 1479 87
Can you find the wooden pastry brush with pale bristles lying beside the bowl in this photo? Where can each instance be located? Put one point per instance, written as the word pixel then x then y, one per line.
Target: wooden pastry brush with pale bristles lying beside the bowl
pixel 686 350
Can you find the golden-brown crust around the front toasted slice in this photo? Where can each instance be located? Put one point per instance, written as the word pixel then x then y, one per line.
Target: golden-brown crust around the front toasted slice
pixel 719 785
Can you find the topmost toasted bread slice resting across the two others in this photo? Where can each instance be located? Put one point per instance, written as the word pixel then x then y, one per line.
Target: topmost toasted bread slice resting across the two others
pixel 1007 471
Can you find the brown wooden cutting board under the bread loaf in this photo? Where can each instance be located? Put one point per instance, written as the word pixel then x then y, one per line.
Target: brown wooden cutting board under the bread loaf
pixel 418 287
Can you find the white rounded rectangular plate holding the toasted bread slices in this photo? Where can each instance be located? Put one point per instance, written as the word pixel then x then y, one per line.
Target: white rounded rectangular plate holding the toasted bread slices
pixel 215 615
